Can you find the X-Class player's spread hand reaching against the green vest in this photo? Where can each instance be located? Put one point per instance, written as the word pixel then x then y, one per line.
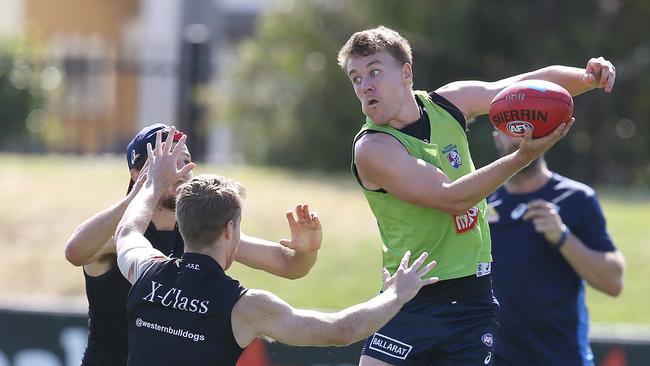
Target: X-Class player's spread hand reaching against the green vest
pixel 407 280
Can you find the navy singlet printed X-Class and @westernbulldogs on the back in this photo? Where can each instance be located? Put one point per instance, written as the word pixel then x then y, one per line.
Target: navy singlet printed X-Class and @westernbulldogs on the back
pixel 179 313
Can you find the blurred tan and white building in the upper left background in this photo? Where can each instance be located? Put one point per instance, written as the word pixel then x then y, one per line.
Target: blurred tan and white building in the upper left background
pixel 125 63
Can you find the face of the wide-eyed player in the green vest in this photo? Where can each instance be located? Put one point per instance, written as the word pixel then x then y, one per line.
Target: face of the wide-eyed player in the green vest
pixel 381 83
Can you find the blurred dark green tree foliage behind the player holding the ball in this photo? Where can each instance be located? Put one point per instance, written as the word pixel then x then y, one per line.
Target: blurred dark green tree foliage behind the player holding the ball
pixel 293 106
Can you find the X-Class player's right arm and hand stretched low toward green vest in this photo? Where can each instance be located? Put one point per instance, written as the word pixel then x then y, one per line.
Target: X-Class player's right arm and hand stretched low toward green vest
pixel 262 313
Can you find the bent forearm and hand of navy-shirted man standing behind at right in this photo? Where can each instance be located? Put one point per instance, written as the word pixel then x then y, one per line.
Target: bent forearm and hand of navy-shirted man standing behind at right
pixel 603 270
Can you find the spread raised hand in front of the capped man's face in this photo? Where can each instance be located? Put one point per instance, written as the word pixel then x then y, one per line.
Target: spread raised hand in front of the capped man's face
pixel 163 170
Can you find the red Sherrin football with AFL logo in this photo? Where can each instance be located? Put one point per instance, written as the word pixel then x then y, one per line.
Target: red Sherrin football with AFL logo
pixel 537 104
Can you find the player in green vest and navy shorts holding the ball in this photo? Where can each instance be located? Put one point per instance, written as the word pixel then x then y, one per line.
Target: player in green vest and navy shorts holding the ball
pixel 412 161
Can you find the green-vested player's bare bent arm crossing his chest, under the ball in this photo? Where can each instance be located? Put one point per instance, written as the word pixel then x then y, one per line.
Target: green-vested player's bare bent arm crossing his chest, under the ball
pixel 382 161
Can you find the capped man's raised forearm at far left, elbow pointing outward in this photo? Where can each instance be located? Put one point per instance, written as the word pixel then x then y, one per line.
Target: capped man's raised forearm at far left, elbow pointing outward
pixel 94 237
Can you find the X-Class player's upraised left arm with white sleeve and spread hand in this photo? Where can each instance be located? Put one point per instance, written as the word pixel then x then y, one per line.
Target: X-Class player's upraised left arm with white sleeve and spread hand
pixel 134 252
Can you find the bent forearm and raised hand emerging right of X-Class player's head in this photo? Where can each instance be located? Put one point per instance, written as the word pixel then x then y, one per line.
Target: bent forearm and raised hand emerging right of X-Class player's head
pixel 288 258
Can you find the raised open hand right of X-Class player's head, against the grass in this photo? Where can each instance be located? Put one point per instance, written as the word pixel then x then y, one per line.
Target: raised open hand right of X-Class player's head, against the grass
pixel 306 231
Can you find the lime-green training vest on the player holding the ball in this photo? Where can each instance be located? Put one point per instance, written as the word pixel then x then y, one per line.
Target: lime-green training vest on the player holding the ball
pixel 457 243
